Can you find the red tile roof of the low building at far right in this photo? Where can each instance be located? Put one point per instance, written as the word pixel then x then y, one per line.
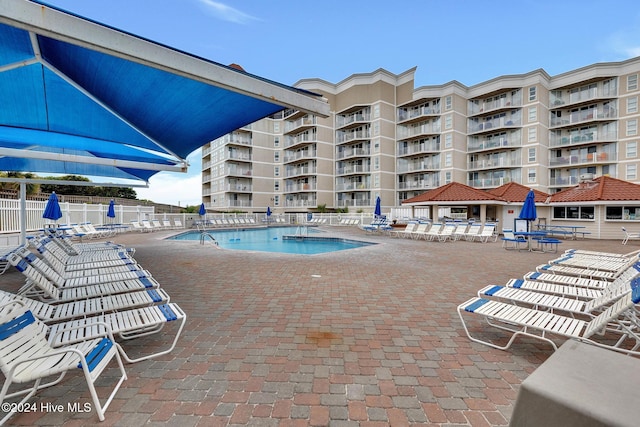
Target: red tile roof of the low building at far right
pixel 600 189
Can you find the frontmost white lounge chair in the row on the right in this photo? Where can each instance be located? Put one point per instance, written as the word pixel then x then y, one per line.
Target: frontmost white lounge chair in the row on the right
pixel 543 325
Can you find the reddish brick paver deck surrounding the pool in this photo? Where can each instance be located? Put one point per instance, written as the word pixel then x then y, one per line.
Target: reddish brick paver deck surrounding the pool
pixel 364 337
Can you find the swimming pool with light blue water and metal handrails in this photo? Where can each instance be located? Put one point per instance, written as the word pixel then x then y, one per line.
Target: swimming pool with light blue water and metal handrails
pixel 275 239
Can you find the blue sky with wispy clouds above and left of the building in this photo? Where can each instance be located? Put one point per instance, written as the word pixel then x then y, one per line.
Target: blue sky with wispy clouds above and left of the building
pixel 285 41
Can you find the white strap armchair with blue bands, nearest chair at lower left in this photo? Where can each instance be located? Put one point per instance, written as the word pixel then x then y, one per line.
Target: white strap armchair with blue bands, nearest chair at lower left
pixel 26 356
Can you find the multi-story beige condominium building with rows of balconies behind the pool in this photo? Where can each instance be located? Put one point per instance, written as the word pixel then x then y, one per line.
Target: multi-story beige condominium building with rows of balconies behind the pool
pixel 387 138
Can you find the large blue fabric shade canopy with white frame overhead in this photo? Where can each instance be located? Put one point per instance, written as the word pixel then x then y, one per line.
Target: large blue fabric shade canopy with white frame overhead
pixel 69 104
